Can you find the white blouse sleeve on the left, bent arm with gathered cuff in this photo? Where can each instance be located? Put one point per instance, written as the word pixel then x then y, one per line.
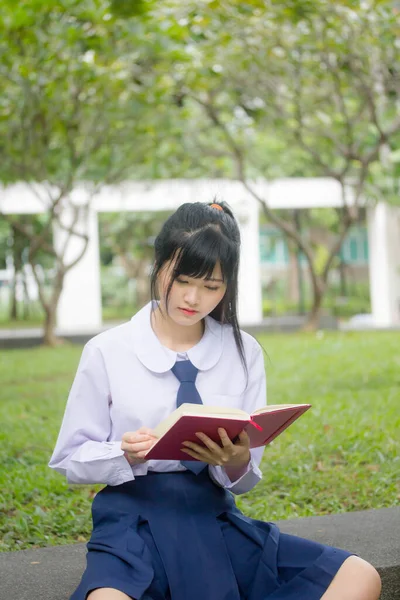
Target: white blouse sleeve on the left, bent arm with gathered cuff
pixel 82 452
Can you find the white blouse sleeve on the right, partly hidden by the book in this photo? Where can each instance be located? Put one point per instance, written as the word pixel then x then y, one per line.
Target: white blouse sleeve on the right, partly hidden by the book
pixel 255 397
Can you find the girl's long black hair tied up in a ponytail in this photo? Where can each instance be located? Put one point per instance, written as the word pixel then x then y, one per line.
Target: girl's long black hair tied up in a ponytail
pixel 198 236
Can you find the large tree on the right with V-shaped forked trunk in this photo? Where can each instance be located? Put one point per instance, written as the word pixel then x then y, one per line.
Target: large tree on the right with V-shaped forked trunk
pixel 321 77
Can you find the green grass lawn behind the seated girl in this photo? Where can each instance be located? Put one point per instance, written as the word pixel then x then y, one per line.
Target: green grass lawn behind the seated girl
pixel 343 455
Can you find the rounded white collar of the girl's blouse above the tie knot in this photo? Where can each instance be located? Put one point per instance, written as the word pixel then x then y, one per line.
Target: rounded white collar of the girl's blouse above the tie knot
pixel 159 359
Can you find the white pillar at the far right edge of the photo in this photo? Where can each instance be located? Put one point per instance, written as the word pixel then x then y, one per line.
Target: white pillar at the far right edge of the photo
pixel 384 264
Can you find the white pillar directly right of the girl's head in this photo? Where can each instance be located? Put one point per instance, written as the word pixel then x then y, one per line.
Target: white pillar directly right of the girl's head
pixel 250 292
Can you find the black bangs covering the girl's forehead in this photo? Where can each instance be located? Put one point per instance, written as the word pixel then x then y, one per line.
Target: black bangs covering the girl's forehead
pixel 201 252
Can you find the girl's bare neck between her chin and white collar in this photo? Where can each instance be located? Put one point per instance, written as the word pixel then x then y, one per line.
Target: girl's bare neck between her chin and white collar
pixel 175 337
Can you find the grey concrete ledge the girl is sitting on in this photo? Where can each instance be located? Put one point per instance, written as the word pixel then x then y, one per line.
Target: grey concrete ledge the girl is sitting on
pixel 53 573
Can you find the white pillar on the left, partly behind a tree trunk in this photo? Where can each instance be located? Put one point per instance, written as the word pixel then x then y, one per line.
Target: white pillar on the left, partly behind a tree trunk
pixel 79 309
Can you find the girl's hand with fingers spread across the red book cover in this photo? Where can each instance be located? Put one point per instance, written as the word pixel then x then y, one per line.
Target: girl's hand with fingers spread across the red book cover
pixel 227 455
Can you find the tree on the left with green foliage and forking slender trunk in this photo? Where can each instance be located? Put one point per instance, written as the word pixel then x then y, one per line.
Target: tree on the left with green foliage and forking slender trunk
pixel 70 109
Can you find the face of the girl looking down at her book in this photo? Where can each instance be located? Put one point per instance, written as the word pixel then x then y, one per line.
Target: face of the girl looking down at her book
pixel 191 299
